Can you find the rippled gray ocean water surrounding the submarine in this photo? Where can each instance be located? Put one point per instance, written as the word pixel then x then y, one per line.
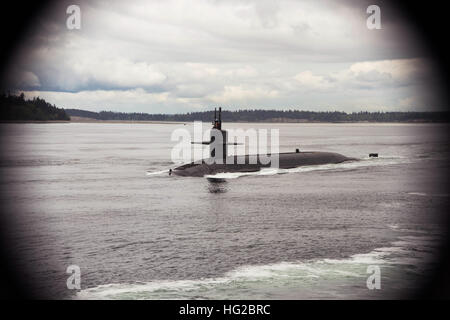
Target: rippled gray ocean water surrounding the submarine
pixel 81 194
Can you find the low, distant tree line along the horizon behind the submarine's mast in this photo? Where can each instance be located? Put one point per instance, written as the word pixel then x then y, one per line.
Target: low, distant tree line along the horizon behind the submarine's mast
pixel 270 116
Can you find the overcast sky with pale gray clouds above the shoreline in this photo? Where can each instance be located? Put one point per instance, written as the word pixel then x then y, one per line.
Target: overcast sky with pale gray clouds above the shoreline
pixel 183 56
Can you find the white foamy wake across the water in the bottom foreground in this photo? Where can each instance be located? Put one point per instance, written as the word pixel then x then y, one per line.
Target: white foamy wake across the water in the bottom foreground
pixel 400 265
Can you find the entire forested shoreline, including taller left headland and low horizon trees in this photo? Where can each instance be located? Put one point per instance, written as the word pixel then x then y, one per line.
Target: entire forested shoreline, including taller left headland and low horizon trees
pixel 17 108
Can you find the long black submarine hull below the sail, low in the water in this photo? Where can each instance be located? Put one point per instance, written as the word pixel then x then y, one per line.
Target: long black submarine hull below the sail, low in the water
pixel 242 163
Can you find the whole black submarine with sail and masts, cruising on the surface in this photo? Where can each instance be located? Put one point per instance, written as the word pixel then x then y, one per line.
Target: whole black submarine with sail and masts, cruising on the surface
pixel 247 163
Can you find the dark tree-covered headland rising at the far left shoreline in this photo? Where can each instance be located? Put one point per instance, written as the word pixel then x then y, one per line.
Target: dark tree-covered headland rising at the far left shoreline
pixel 17 108
